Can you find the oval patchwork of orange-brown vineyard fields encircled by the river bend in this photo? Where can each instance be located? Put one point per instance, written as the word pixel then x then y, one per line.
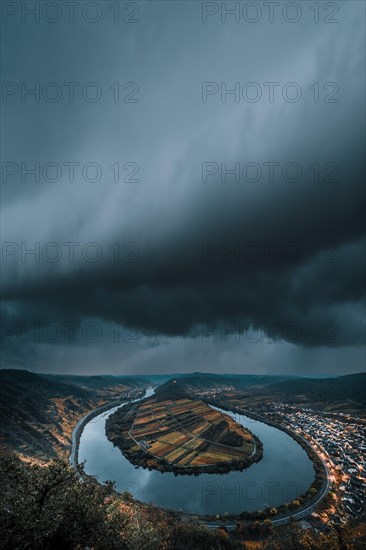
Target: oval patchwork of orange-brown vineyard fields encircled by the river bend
pixel 182 435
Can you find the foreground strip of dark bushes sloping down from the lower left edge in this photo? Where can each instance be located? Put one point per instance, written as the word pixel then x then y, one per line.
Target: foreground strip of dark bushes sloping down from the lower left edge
pixel 55 507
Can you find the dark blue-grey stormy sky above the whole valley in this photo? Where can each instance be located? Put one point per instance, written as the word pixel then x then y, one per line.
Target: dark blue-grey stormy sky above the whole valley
pixel 197 193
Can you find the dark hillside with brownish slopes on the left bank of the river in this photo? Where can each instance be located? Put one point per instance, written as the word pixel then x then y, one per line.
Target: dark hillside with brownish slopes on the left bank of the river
pixel 38 413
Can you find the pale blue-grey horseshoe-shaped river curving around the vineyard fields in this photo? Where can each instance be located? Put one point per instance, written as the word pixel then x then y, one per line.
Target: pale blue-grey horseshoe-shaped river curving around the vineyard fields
pixel 284 473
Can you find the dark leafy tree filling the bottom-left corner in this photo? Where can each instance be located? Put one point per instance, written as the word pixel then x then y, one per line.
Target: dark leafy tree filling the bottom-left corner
pixel 47 507
